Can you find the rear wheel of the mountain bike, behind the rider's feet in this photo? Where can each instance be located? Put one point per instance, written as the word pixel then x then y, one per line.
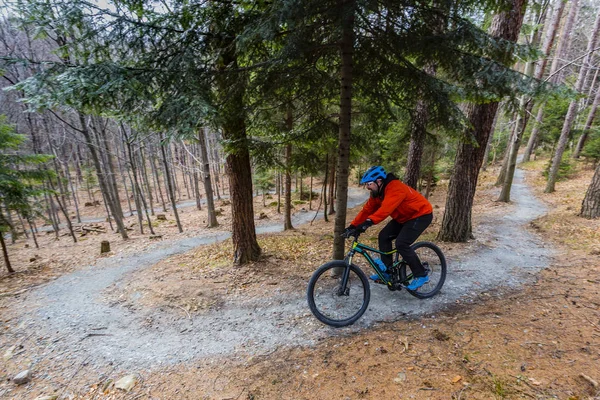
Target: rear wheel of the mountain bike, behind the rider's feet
pixel 434 262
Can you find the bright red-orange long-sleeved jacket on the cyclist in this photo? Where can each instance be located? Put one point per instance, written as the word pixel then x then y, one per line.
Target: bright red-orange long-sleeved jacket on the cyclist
pixel 399 201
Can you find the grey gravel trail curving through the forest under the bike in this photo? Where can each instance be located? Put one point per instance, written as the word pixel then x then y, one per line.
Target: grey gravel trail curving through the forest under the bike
pixel 70 311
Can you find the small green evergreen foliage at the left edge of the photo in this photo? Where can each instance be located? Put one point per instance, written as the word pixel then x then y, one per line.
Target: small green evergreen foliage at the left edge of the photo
pixel 19 179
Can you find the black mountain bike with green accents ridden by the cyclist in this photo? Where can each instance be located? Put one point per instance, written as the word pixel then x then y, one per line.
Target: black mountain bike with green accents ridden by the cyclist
pixel 339 293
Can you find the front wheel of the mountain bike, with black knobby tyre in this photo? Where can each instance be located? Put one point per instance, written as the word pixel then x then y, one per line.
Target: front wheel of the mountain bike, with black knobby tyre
pixel 338 299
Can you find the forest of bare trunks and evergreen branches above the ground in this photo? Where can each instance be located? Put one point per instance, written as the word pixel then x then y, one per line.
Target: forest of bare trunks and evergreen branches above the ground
pixel 130 105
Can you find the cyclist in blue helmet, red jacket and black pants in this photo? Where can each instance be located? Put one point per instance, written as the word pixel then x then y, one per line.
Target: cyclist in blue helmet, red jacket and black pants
pixel 411 214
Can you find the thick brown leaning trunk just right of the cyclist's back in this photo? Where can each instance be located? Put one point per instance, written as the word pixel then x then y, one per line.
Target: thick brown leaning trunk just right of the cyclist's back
pixel 456 223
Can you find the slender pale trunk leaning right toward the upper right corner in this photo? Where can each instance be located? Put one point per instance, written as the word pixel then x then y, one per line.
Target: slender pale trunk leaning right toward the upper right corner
pixel 572 112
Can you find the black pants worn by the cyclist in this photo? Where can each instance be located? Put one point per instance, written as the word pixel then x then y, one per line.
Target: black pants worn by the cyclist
pixel 405 235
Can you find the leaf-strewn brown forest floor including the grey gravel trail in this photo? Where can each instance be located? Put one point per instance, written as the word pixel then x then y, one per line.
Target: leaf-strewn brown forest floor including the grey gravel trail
pixel 519 316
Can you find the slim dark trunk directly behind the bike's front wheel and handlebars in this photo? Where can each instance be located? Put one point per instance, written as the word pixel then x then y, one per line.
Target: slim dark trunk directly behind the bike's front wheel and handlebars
pixel 347 9
